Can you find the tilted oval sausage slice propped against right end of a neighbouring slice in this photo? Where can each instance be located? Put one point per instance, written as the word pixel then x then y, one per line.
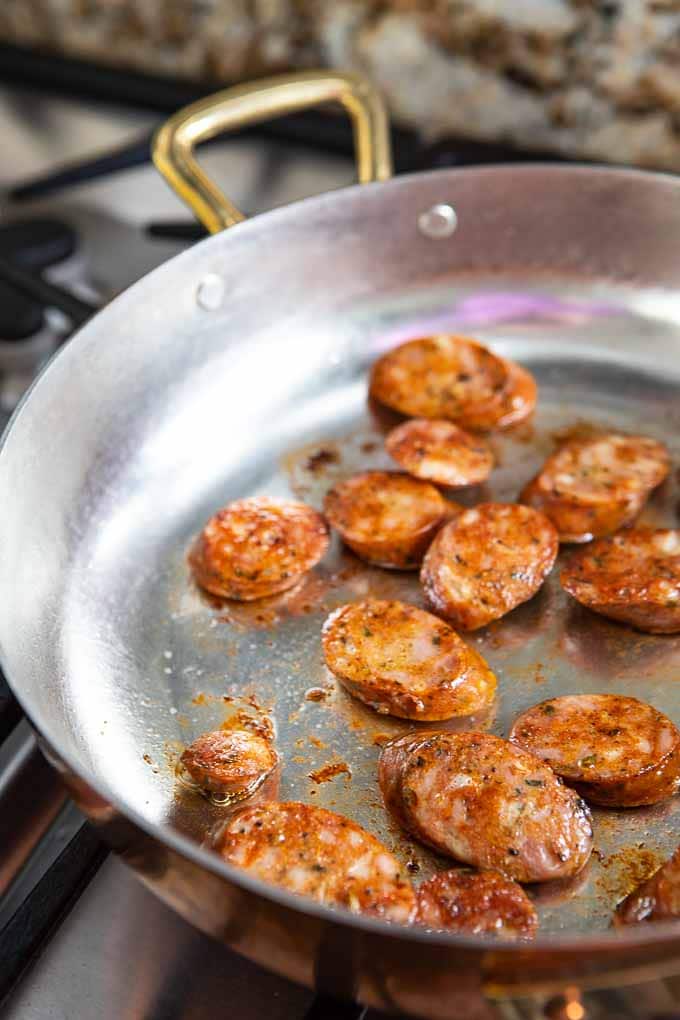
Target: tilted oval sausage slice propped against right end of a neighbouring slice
pixel 488 562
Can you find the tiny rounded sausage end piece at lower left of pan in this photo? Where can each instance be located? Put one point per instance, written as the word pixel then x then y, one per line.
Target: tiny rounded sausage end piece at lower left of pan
pixel 230 764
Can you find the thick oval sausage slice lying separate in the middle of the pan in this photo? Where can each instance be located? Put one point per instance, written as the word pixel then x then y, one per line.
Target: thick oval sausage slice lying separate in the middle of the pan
pixel 405 662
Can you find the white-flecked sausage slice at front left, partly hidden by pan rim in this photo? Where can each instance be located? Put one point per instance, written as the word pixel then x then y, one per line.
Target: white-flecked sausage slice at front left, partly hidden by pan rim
pixel 319 854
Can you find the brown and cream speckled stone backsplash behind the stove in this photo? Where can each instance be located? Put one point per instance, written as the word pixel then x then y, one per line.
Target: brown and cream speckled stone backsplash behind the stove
pixel 594 79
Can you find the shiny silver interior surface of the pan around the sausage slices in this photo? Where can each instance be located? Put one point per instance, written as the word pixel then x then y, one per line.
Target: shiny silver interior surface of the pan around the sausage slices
pixel 123 661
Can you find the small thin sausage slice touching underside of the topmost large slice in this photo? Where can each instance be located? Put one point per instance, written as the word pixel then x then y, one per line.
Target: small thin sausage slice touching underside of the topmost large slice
pixel 440 451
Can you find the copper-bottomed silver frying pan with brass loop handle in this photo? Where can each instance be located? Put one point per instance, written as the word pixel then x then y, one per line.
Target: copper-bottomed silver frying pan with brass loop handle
pixel 240 368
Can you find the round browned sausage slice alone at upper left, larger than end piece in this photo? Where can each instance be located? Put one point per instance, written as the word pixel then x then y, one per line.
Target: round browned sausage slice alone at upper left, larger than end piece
pixel 257 547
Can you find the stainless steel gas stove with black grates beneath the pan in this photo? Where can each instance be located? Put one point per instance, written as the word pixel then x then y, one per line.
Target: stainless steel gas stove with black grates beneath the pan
pixel 80 937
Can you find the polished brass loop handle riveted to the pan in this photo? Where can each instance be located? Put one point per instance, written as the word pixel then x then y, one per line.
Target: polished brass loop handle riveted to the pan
pixel 174 143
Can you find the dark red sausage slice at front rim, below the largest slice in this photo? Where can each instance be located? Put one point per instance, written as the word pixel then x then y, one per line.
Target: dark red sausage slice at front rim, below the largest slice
pixel 483 903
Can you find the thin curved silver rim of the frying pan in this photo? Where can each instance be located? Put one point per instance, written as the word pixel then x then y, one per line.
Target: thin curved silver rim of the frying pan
pixel 636 937
